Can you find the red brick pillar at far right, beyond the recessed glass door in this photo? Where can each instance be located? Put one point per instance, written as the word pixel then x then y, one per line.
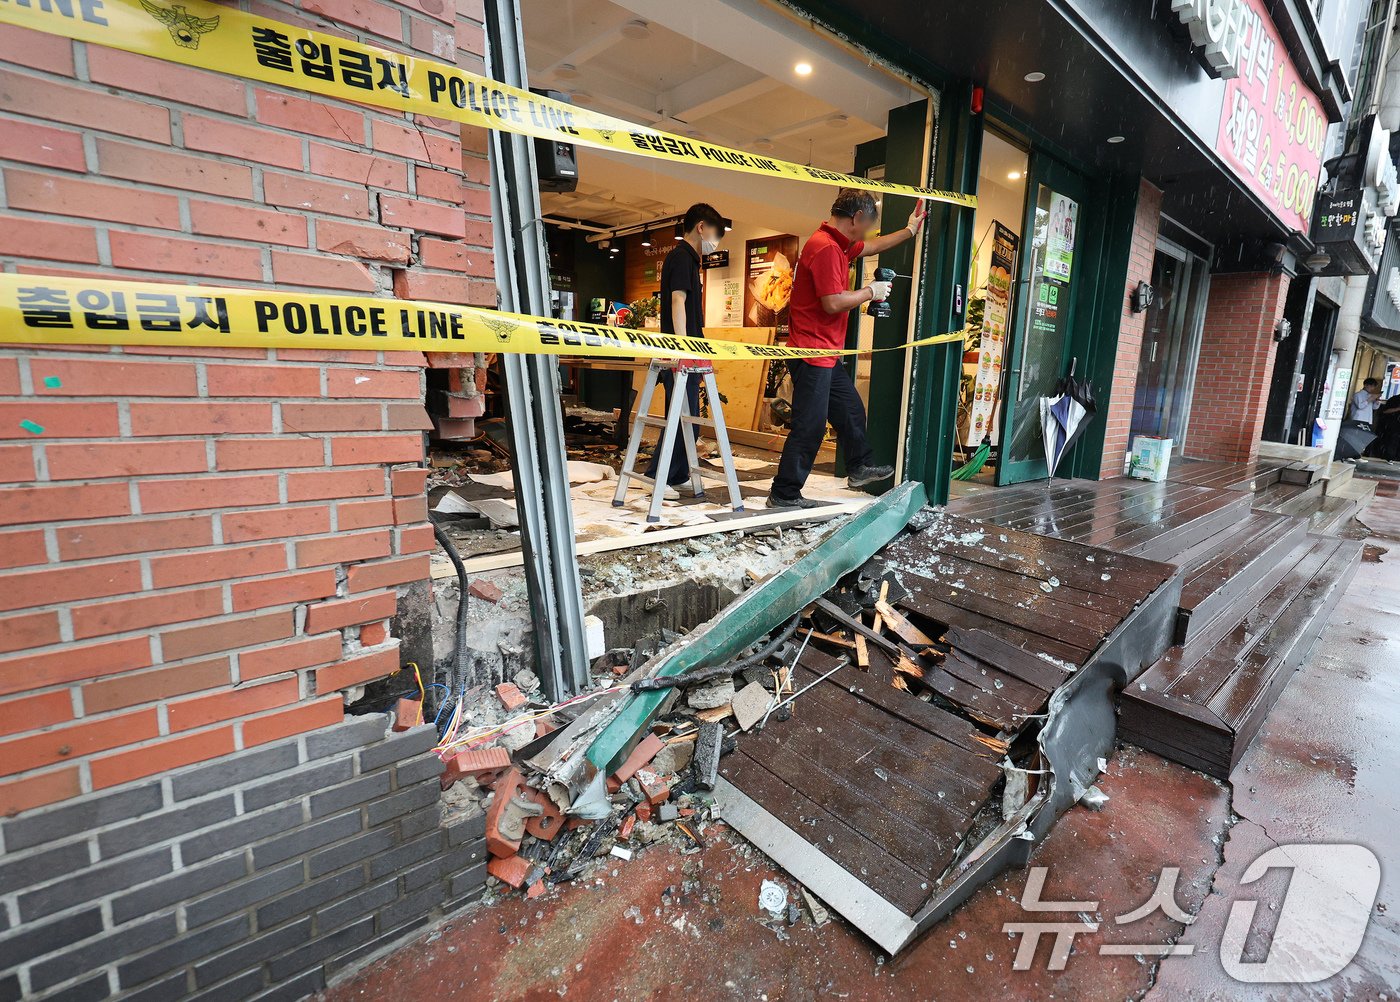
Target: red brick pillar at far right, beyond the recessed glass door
pixel 1235 366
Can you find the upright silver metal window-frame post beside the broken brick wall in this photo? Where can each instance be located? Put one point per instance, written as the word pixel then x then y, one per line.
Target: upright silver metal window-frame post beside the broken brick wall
pixel 540 460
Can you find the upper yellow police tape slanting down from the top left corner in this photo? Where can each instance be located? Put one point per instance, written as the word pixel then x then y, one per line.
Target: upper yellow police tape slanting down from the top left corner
pixel 226 40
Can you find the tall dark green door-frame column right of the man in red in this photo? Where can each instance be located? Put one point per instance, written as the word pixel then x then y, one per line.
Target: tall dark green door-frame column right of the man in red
pixel 937 372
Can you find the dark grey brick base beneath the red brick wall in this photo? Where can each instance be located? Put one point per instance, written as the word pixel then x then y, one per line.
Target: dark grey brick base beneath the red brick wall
pixel 257 875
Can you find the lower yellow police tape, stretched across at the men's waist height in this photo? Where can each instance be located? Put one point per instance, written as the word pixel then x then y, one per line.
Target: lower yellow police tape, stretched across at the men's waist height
pixel 47 310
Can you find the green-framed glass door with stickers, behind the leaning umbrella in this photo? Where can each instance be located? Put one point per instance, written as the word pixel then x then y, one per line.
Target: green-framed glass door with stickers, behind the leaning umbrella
pixel 1048 288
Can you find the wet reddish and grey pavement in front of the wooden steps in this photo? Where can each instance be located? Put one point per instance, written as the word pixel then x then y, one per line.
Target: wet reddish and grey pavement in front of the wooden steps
pixel 671 926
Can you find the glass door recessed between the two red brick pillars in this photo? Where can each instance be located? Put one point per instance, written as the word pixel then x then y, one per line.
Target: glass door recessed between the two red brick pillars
pixel 1171 344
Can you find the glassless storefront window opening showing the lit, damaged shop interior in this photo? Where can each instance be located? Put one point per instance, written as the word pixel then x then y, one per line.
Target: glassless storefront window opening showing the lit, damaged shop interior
pixel 751 79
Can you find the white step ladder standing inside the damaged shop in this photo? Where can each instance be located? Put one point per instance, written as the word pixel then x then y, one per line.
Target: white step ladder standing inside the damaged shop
pixel 678 418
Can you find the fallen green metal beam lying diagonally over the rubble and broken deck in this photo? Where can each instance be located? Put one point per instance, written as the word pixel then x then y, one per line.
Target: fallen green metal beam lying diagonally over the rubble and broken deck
pixel 764 609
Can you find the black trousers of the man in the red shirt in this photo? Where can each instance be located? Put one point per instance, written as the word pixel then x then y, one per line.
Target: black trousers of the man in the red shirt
pixel 821 397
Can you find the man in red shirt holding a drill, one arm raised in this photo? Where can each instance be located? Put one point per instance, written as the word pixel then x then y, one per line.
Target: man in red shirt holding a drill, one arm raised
pixel 822 391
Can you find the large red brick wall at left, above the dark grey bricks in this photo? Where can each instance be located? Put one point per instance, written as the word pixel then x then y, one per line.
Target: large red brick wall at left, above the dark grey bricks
pixel 202 549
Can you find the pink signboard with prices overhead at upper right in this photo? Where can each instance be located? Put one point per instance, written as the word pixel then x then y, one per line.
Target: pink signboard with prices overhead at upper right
pixel 1272 127
